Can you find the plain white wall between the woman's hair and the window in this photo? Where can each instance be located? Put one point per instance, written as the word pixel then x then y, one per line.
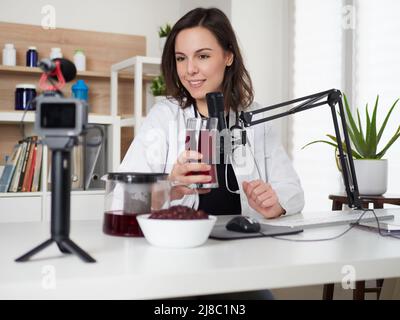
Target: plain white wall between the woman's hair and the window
pixel 262 30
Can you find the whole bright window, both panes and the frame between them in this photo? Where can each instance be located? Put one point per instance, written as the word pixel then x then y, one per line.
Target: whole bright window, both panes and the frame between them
pixel 362 60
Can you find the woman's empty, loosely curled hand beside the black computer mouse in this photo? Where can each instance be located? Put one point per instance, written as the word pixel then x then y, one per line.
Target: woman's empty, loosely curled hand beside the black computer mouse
pixel 263 198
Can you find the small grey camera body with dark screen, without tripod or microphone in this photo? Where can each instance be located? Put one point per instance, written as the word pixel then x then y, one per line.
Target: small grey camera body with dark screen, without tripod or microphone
pixel 57 116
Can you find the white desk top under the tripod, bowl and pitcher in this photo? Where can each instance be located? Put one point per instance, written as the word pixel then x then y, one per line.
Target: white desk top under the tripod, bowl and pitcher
pixel 129 268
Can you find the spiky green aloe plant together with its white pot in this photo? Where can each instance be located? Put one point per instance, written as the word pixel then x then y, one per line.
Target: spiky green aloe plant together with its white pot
pixel 371 168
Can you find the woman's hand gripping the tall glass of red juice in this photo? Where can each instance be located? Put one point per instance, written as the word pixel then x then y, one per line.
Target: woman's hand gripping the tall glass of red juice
pixel 182 177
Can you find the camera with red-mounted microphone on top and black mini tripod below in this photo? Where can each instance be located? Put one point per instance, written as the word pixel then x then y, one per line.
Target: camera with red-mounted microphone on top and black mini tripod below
pixel 60 121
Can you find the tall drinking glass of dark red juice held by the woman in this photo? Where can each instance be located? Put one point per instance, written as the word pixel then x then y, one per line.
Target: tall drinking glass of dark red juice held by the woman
pixel 201 136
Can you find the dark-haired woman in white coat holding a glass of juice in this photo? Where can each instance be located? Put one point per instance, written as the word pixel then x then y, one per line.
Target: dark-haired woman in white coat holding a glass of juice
pixel 202 55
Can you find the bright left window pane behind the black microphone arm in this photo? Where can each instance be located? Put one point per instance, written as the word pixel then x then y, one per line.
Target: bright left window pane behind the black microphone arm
pixel 317 66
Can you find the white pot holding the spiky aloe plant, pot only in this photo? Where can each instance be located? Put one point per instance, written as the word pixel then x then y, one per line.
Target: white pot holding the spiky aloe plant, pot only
pixel 372 176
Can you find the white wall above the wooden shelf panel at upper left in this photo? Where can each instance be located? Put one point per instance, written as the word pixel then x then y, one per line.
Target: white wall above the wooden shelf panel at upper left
pixel 136 17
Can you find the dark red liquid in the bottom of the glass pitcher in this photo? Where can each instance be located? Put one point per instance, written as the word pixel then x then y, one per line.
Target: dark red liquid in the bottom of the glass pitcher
pixel 118 223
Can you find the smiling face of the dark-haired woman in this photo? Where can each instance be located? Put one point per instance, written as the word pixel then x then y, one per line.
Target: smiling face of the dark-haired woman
pixel 200 61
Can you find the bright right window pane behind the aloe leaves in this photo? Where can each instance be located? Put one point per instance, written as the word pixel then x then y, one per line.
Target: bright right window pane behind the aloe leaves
pixel 377 71
